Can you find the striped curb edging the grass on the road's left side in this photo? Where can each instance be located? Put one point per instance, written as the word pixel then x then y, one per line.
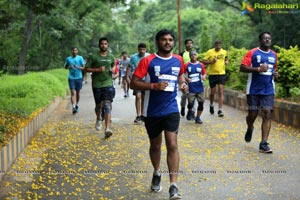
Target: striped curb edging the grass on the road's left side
pixel 11 151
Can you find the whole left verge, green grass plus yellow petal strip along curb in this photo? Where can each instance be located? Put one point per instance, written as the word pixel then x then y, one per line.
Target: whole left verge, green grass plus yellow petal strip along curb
pixel 23 97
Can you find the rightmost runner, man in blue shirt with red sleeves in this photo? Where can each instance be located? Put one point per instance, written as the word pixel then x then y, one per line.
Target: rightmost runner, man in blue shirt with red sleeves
pixel 260 63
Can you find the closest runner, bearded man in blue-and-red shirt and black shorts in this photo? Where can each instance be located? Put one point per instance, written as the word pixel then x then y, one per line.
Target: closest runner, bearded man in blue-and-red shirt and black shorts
pixel 164 73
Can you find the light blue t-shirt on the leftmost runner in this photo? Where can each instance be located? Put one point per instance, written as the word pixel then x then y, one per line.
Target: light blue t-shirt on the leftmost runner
pixel 75 73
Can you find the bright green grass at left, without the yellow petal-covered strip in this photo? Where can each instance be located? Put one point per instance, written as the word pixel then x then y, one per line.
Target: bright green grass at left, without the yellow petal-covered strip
pixel 22 95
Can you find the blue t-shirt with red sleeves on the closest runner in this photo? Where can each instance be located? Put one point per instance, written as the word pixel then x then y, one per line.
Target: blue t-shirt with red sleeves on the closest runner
pixel 157 69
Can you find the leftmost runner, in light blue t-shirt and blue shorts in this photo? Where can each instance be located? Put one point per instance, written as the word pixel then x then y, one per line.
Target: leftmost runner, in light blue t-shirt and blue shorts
pixel 75 64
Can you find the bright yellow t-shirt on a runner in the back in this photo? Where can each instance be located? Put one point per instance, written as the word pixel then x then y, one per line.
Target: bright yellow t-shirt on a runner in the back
pixel 217 68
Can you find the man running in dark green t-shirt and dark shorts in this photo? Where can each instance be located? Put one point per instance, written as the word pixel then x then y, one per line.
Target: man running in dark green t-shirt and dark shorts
pixel 102 66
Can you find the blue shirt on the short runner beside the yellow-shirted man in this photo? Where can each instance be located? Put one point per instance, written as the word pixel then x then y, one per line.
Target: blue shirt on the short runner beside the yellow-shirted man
pixel 195 72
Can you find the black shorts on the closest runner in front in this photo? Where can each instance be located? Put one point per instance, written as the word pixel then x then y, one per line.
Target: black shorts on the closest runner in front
pixel 155 125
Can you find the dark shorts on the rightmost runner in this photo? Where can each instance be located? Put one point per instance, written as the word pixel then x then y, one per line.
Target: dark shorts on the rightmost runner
pixel 256 102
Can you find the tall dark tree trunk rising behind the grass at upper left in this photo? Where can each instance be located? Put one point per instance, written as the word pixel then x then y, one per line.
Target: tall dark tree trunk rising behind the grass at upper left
pixel 27 34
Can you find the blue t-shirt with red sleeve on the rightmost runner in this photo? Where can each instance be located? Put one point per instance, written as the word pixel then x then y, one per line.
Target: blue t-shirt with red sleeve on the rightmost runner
pixel 260 83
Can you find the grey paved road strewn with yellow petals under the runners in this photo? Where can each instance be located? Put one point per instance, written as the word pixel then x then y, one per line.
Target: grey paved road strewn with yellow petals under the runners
pixel 69 159
